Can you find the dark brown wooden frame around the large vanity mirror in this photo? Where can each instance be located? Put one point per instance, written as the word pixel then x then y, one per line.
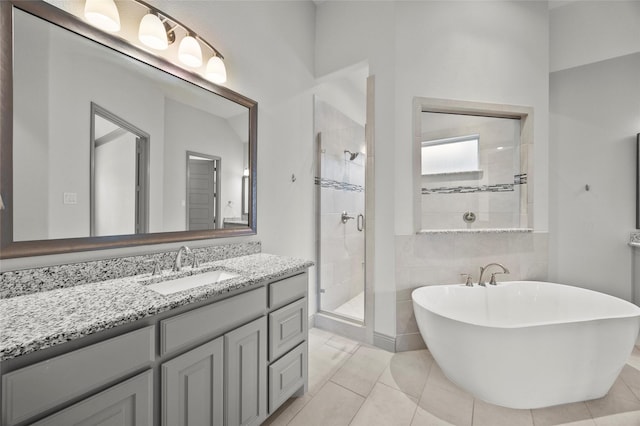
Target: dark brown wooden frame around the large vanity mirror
pixel 15 249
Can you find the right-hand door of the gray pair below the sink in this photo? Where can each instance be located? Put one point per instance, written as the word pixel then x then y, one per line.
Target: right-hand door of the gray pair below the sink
pixel 246 379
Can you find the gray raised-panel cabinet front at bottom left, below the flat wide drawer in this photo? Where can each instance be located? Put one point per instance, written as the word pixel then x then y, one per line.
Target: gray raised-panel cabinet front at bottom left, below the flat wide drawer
pixel 129 403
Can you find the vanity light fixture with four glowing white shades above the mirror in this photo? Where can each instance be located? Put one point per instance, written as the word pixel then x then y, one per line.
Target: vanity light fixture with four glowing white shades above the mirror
pixel 157 30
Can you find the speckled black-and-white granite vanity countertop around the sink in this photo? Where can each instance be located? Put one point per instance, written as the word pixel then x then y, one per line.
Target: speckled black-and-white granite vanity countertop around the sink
pixel 36 321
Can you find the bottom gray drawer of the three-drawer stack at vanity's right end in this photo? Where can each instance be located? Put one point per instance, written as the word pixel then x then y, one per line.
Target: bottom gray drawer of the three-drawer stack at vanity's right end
pixel 286 376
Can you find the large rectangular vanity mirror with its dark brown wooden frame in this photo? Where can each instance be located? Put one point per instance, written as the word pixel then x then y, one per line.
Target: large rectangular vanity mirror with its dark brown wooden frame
pixel 95 133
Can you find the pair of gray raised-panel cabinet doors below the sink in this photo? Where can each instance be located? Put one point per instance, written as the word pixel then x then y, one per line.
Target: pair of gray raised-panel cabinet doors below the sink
pixel 194 383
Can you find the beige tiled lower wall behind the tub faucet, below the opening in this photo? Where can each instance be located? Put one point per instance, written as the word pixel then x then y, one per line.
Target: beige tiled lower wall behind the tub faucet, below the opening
pixel 440 258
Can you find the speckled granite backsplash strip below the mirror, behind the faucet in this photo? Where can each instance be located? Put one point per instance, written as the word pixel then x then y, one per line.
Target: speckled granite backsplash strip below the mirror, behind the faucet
pixel 28 281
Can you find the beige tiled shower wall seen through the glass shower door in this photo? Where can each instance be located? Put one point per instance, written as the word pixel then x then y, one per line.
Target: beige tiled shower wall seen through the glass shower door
pixel 341 185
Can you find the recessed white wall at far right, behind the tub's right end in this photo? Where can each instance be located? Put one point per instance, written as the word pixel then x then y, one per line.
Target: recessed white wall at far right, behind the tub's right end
pixel 595 115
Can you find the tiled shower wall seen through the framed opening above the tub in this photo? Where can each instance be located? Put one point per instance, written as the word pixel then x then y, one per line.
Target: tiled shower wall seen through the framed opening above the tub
pixel 492 194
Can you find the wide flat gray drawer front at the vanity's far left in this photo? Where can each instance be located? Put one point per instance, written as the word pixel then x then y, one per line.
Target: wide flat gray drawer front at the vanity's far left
pixel 39 387
